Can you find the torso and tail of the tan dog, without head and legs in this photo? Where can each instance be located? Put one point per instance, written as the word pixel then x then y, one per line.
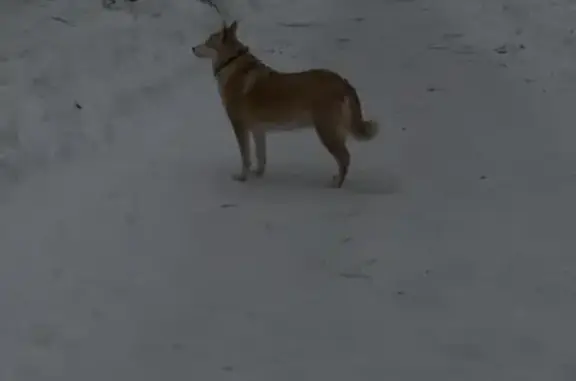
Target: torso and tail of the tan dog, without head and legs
pixel 275 101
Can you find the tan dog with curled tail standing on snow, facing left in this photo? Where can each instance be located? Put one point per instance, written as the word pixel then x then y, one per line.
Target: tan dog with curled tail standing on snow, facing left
pixel 259 99
